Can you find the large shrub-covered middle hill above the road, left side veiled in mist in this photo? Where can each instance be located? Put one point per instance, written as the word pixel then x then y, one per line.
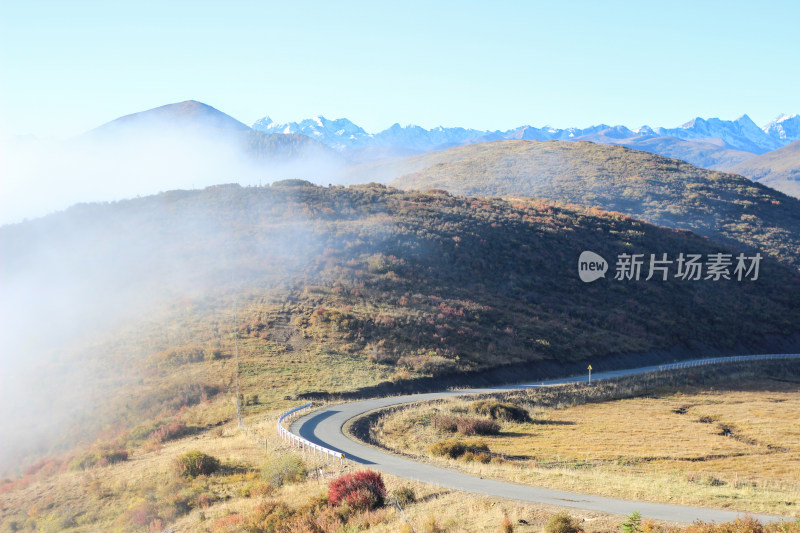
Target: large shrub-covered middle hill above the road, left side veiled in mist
pixel 107 305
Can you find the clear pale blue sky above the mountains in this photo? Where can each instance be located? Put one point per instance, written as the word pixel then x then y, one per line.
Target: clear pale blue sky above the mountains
pixel 66 67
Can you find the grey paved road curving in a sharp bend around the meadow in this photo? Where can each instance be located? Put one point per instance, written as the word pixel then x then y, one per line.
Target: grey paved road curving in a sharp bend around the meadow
pixel 324 427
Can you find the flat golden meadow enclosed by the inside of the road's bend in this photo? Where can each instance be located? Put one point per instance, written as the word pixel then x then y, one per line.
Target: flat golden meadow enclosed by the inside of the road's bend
pixel 726 443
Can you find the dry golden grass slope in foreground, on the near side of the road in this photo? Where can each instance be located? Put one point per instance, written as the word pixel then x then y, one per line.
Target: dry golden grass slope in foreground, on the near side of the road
pixel 98 499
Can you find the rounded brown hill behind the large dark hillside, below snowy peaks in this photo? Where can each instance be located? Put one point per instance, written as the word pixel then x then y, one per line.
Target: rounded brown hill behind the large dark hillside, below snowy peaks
pixel 663 191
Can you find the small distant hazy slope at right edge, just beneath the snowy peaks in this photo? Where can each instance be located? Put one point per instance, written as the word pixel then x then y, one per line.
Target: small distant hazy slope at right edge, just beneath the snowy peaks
pixel 779 169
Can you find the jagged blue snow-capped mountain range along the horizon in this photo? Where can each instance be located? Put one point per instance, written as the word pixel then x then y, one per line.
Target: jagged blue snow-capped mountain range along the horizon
pixel 741 135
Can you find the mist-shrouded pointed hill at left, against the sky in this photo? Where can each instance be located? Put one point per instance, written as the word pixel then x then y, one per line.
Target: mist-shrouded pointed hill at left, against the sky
pixel 184 145
